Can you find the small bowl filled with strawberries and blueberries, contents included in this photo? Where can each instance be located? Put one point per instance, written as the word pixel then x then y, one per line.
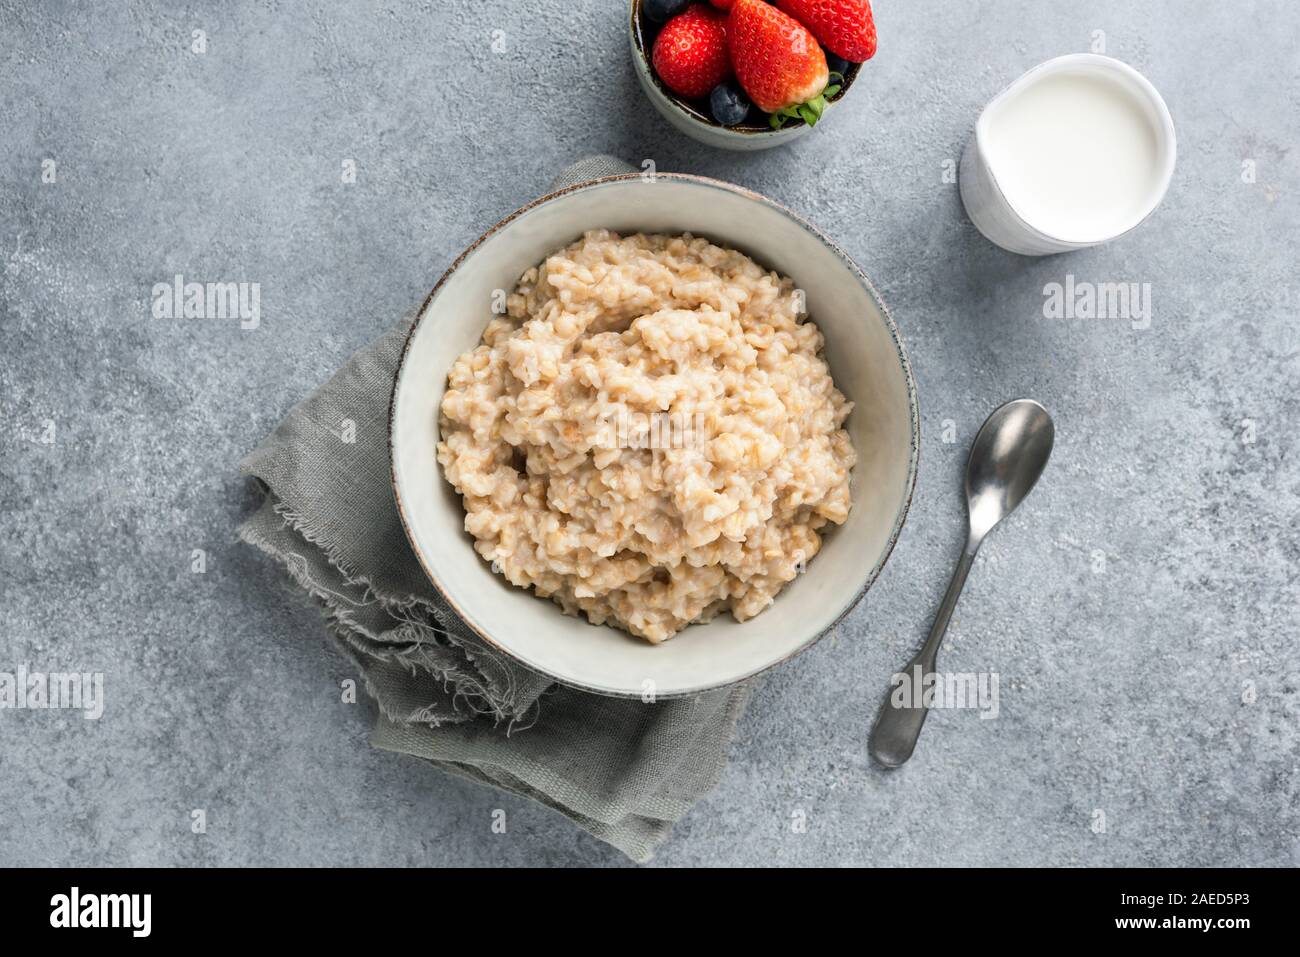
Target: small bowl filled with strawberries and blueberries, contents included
pixel 749 75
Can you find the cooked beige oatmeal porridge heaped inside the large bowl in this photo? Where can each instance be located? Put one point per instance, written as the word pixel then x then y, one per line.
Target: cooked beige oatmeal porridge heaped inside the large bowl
pixel 649 435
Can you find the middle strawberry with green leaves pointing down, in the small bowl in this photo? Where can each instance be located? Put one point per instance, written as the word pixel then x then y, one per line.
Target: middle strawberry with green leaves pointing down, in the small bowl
pixel 778 62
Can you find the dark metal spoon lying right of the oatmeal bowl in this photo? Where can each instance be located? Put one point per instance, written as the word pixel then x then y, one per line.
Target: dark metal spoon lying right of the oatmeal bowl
pixel 1006 462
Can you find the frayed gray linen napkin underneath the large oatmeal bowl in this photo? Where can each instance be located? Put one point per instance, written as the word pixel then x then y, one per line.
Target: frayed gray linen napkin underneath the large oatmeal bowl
pixel 622 769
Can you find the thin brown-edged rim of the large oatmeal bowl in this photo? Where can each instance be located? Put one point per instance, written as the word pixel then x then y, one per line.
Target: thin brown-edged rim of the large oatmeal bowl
pixel 913 409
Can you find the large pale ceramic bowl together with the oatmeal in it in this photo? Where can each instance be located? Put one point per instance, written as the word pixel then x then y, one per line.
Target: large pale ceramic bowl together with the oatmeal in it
pixel 653 435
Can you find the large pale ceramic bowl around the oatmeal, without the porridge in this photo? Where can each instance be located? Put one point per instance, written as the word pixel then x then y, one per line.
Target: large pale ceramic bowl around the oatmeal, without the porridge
pixel 869 365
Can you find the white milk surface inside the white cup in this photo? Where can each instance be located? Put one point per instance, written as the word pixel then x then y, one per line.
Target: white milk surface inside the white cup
pixel 1076 155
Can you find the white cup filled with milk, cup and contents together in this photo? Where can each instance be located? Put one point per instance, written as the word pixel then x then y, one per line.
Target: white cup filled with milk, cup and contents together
pixel 1076 153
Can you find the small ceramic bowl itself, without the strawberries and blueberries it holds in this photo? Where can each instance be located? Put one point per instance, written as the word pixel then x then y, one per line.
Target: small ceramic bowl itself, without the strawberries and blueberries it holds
pixel 695 120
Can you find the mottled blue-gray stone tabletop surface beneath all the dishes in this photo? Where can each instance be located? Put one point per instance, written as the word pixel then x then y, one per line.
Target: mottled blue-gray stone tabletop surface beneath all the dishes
pixel 1151 577
